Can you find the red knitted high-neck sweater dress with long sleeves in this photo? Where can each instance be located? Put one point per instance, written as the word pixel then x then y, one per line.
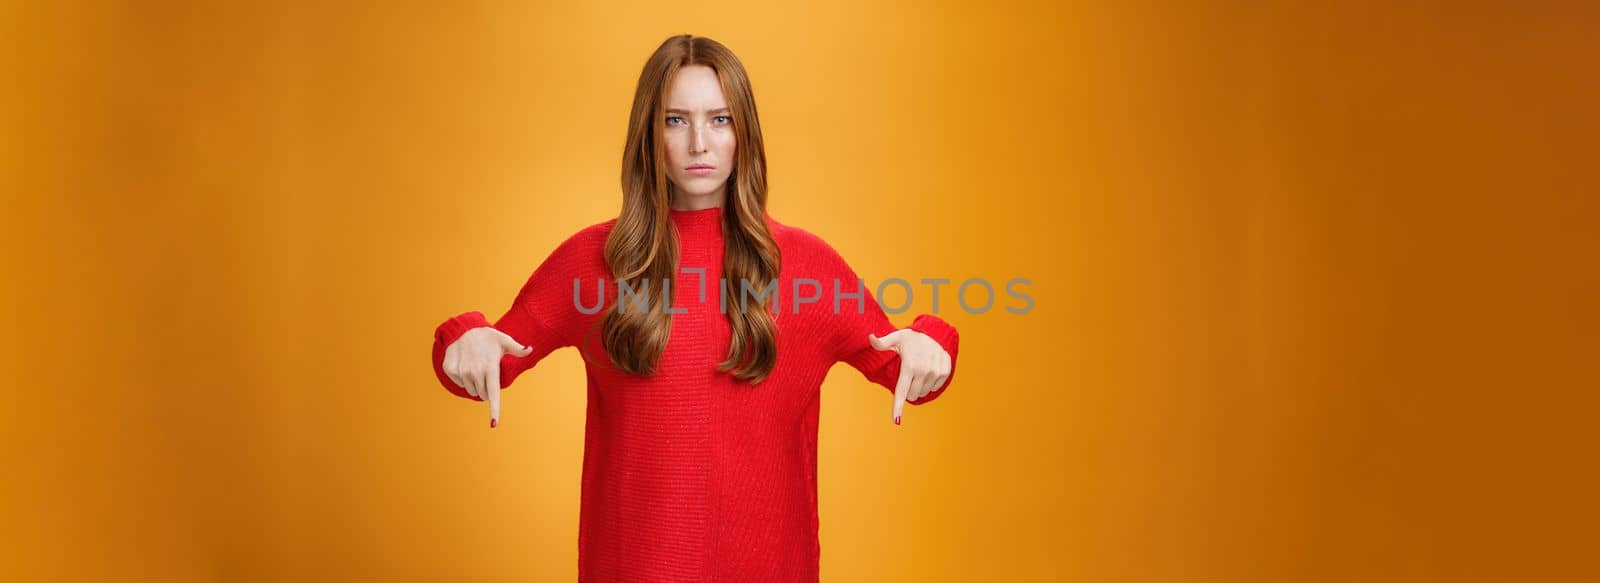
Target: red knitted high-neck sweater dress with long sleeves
pixel 692 475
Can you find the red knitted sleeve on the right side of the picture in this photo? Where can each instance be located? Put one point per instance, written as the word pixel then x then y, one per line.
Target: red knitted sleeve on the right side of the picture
pixel 857 320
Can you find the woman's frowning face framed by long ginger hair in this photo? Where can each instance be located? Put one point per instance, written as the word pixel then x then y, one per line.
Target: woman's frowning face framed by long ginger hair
pixel 698 134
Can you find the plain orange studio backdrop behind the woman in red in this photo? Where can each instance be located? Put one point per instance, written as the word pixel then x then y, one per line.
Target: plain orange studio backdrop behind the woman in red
pixel 1316 286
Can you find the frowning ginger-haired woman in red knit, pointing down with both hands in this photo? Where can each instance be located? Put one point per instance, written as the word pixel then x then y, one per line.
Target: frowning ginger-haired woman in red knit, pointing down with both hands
pixel 700 452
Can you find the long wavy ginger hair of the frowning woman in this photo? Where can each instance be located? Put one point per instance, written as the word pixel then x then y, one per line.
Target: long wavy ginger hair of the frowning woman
pixel 644 246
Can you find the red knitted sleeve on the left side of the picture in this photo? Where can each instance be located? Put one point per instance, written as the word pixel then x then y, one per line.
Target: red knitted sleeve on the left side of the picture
pixel 538 318
